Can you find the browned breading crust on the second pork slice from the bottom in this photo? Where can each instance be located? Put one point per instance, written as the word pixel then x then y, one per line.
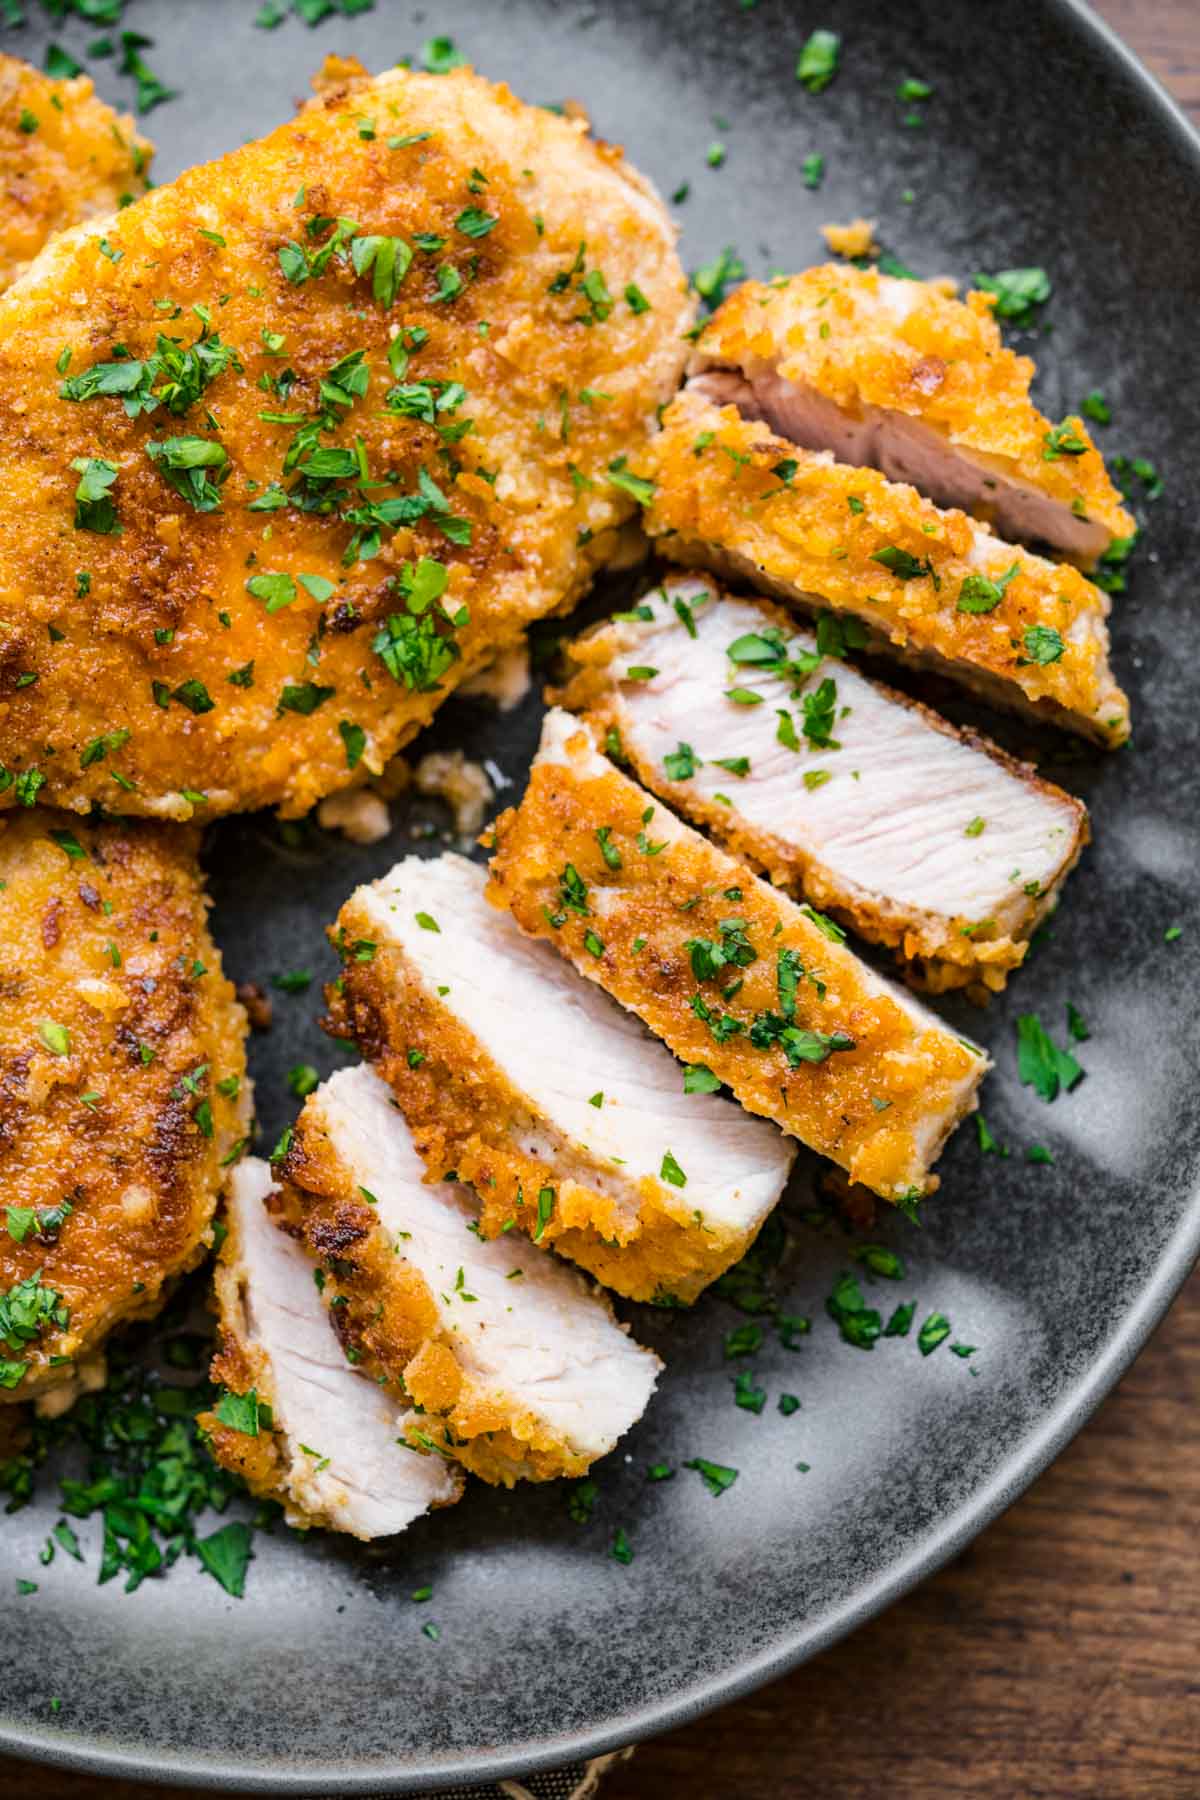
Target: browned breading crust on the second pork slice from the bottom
pixel 384 1311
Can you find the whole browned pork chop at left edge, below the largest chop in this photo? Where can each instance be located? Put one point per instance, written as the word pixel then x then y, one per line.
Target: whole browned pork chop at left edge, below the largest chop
pixel 121 1084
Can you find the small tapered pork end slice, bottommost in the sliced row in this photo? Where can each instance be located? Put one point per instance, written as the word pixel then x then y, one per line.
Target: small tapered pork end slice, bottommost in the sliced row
pixel 310 1432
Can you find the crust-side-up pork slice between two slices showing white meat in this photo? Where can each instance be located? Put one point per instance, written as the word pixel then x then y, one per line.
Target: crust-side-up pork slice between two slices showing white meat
pixel 730 973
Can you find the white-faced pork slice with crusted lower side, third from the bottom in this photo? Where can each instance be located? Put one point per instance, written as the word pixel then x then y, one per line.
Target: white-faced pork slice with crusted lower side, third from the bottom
pixel 530 1083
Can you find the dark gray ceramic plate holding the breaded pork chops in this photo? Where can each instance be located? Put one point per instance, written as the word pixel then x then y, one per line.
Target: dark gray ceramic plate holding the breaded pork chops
pixel 1043 145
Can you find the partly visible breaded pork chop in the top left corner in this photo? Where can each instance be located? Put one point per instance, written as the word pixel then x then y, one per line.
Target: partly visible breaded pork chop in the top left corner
pixel 64 157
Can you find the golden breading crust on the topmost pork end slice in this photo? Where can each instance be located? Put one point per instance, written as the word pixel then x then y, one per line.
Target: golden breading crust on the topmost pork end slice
pixel 945 364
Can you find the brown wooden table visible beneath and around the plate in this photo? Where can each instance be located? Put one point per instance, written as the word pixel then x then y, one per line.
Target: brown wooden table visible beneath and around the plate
pixel 1061 1655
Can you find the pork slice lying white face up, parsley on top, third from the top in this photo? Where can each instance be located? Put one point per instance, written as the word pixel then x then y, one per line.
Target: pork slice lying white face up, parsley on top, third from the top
pixel 846 793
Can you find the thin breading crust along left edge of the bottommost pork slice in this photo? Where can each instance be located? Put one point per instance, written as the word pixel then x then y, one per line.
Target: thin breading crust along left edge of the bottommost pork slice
pixel 242 1365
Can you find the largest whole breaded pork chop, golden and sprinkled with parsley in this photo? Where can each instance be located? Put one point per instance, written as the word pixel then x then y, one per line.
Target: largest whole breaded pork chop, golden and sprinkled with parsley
pixel 300 440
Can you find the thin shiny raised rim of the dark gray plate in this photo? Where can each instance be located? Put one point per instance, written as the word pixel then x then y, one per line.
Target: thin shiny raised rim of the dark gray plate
pixel 940 1545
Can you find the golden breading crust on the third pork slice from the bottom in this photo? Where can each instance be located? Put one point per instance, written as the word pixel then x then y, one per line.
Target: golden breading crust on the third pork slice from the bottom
pixel 467 1117
